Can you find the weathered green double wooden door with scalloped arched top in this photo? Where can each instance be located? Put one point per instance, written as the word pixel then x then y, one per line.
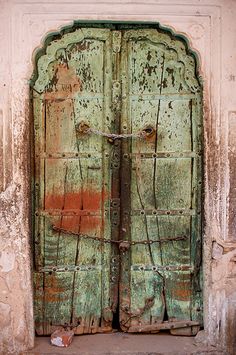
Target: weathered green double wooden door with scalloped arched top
pixel 117 218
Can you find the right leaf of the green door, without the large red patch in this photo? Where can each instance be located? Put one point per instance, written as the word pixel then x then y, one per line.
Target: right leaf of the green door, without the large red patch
pixel 160 275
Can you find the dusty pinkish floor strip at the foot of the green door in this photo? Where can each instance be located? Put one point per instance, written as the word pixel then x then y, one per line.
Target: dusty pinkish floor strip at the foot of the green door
pixel 122 343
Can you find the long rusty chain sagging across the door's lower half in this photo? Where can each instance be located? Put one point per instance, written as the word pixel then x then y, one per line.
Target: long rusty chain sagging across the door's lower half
pixel 123 244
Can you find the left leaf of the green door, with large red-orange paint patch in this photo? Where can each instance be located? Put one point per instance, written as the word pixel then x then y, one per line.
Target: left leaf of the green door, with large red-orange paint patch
pixel 72 183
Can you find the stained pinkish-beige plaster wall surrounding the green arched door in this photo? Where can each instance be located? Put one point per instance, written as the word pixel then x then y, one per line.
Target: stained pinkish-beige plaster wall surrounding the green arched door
pixel 210 27
